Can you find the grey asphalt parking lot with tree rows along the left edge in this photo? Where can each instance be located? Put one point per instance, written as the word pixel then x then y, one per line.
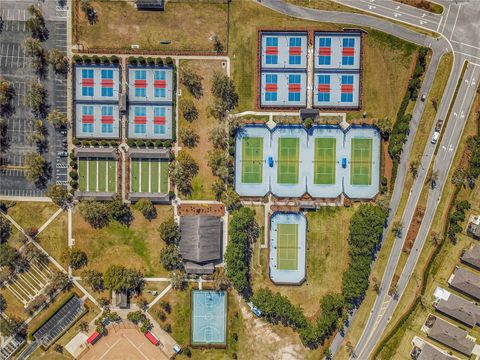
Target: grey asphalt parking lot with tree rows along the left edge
pixel 15 67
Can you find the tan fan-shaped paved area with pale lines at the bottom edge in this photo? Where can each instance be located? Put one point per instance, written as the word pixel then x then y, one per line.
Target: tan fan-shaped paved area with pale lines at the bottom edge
pixel 123 342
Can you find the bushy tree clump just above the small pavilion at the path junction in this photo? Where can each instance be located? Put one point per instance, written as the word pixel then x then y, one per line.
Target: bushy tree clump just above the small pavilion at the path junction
pixel 119 278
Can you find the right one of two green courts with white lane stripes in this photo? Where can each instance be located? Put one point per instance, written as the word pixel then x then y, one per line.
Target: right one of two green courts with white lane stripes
pixel 149 175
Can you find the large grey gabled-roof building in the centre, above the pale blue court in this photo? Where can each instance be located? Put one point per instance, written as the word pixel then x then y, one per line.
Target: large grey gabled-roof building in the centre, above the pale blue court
pixel 201 243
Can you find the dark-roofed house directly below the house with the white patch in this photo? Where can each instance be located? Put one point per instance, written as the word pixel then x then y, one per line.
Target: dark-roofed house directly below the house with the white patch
pixel 449 335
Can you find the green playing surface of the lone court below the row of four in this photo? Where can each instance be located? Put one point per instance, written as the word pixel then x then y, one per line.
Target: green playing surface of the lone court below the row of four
pixel 287 246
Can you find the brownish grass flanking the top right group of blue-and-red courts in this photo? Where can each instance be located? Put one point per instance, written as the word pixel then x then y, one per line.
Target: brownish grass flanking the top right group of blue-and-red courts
pixel 388 61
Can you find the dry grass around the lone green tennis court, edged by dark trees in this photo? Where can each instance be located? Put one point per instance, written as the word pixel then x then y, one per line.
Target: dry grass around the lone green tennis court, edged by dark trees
pixel 327 259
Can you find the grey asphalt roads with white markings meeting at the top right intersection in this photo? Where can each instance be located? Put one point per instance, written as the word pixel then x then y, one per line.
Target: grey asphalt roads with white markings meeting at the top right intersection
pixel 450 26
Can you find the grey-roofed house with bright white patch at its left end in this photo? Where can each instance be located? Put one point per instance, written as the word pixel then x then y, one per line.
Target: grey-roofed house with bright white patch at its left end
pixel 456 307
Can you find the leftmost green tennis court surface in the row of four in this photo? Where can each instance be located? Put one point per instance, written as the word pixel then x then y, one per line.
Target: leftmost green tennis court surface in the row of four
pixel 252 163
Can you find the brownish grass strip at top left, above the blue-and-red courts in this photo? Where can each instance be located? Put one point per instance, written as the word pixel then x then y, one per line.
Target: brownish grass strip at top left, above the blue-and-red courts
pixel 147 28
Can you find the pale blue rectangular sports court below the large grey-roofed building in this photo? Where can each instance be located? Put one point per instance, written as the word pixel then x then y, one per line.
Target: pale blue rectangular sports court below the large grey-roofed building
pixel 209 317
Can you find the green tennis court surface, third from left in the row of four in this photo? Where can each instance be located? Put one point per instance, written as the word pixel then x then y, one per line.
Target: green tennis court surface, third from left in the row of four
pixel 324 161
